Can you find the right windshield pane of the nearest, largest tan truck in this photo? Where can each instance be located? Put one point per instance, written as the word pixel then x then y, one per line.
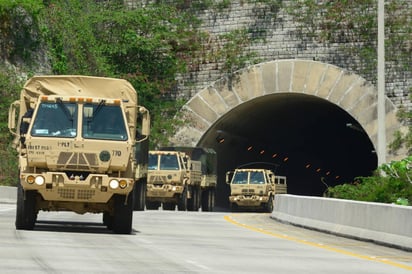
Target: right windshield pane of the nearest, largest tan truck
pixel 103 122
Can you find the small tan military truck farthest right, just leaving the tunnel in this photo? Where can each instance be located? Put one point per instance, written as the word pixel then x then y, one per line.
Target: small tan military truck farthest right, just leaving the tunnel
pixel 254 188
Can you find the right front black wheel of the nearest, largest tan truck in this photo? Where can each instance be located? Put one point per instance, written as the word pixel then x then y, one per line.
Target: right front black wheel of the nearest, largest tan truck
pixel 123 214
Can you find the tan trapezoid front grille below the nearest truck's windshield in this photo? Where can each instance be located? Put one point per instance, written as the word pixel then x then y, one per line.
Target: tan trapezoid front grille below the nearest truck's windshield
pixel 76 160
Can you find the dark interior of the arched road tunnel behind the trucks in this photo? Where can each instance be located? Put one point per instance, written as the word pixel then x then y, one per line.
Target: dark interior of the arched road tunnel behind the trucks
pixel 313 142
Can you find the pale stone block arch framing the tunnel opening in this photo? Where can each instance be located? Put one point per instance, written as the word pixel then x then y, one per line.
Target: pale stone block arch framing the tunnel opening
pixel 346 90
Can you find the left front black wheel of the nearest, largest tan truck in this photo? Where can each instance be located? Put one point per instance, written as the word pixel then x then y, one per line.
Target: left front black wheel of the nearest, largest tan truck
pixel 26 213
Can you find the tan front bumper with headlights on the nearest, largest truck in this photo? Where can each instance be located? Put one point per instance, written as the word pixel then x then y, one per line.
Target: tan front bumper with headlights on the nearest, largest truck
pixel 56 186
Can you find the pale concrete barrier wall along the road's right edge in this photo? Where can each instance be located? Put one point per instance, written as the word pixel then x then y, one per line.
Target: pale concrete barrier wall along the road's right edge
pixel 381 223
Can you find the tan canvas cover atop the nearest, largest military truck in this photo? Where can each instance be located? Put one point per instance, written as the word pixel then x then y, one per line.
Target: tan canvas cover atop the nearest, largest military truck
pixel 79 85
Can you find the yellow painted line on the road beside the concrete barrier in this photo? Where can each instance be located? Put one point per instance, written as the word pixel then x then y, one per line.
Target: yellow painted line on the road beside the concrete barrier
pixel 318 245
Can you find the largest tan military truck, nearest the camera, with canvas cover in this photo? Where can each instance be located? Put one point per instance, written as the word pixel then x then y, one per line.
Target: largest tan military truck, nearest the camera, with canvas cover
pixel 82 143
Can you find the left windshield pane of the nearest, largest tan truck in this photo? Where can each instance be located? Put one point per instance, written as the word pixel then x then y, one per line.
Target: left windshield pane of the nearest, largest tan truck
pixel 55 120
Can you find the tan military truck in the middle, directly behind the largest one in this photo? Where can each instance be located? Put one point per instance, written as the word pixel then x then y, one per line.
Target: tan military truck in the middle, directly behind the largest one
pixel 182 176
